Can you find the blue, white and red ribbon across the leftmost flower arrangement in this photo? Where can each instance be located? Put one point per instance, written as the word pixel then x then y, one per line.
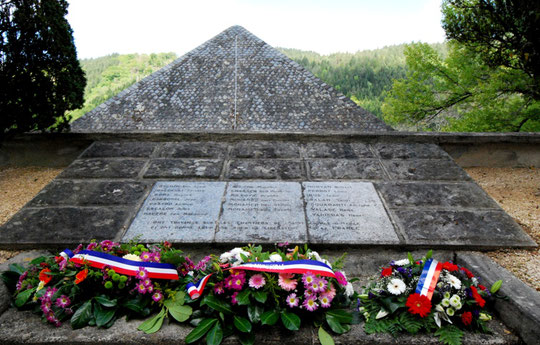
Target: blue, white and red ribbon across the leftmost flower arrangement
pixel 120 265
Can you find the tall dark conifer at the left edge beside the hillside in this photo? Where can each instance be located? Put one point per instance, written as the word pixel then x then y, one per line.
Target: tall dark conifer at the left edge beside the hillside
pixel 39 72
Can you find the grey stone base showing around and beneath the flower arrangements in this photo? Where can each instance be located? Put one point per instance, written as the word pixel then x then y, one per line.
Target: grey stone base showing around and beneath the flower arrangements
pixel 521 312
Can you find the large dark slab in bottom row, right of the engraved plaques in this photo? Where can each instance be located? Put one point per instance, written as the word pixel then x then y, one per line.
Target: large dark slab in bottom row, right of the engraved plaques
pixel 479 229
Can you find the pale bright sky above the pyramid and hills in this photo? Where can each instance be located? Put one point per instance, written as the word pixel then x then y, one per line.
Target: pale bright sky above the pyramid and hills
pixel 103 27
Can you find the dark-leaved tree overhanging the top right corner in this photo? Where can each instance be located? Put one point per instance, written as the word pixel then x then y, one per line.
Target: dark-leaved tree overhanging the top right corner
pixel 503 33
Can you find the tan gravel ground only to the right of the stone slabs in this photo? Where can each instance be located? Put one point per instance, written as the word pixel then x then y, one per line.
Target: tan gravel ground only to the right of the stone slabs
pixel 517 191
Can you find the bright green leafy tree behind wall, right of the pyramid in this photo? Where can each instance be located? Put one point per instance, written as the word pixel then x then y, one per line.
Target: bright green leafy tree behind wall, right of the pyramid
pixel 458 93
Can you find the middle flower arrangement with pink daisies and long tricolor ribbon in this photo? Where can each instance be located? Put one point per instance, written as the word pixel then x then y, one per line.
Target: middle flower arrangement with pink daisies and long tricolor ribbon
pixel 247 288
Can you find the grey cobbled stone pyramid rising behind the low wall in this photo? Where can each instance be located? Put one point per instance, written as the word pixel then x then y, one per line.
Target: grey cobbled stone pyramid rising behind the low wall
pixel 234 81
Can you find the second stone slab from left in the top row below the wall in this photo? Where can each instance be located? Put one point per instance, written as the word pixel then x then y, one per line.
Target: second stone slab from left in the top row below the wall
pixel 205 149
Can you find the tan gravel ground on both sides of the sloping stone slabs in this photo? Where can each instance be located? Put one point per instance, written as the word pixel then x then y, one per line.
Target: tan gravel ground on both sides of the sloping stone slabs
pixel 517 190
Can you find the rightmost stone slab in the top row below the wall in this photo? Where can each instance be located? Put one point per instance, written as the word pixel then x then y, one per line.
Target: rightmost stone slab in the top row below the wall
pixel 408 151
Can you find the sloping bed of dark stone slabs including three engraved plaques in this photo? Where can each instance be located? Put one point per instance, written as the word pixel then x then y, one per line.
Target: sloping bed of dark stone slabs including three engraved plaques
pixel 423 197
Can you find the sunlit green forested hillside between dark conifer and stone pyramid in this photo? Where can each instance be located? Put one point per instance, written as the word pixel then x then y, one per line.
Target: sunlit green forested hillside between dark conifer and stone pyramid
pixel 108 75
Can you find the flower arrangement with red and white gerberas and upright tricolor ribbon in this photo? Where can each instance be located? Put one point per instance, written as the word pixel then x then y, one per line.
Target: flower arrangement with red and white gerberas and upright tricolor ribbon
pixel 413 295
